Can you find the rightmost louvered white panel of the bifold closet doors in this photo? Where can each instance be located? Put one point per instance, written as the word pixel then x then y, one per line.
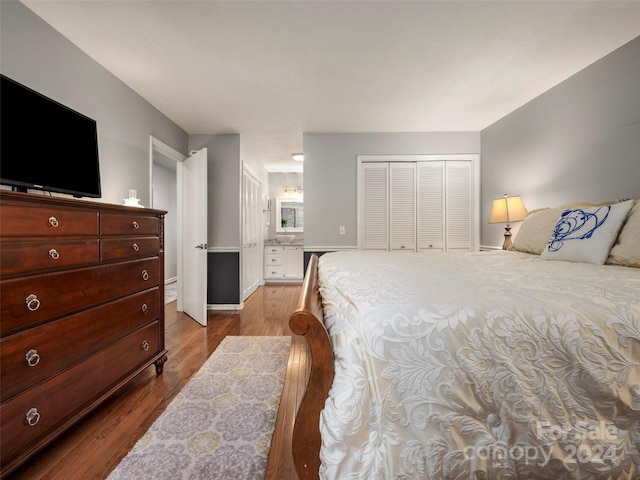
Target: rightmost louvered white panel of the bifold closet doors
pixel 459 191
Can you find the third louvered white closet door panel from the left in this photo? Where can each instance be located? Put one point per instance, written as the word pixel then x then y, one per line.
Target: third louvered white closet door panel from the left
pixel 431 206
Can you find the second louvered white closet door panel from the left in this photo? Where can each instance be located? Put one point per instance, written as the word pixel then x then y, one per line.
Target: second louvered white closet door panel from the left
pixel 402 206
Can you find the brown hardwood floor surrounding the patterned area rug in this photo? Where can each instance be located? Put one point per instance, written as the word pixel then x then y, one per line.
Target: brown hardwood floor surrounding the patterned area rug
pixel 96 444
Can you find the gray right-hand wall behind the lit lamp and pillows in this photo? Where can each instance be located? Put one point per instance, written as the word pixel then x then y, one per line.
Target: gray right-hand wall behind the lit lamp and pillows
pixel 579 141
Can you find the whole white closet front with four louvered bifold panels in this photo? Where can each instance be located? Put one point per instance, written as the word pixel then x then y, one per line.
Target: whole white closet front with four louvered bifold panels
pixel 418 203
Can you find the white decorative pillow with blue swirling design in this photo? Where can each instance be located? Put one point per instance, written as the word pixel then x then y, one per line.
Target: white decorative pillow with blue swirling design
pixel 586 234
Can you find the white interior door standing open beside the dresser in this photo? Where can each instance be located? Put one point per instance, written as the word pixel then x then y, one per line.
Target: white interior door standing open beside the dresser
pixel 194 236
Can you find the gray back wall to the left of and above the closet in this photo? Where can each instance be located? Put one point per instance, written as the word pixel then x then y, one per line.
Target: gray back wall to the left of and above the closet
pixel 330 169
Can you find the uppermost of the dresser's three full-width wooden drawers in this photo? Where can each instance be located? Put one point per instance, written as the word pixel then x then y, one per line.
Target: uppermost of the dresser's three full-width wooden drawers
pixel 29 301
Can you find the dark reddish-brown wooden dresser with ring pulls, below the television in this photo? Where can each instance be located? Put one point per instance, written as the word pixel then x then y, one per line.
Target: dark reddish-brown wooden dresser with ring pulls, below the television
pixel 82 311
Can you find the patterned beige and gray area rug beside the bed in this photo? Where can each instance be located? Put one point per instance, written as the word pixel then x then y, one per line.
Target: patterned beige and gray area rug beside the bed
pixel 220 424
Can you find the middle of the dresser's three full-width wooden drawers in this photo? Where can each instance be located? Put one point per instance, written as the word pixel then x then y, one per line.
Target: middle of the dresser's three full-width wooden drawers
pixel 32 356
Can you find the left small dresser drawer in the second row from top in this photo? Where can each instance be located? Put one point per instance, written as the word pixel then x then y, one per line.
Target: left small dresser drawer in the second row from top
pixel 35 256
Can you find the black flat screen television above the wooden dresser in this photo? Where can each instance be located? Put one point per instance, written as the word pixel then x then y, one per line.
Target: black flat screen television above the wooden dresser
pixel 45 145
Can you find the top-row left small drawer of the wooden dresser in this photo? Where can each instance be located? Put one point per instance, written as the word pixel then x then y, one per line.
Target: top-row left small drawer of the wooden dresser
pixel 18 221
